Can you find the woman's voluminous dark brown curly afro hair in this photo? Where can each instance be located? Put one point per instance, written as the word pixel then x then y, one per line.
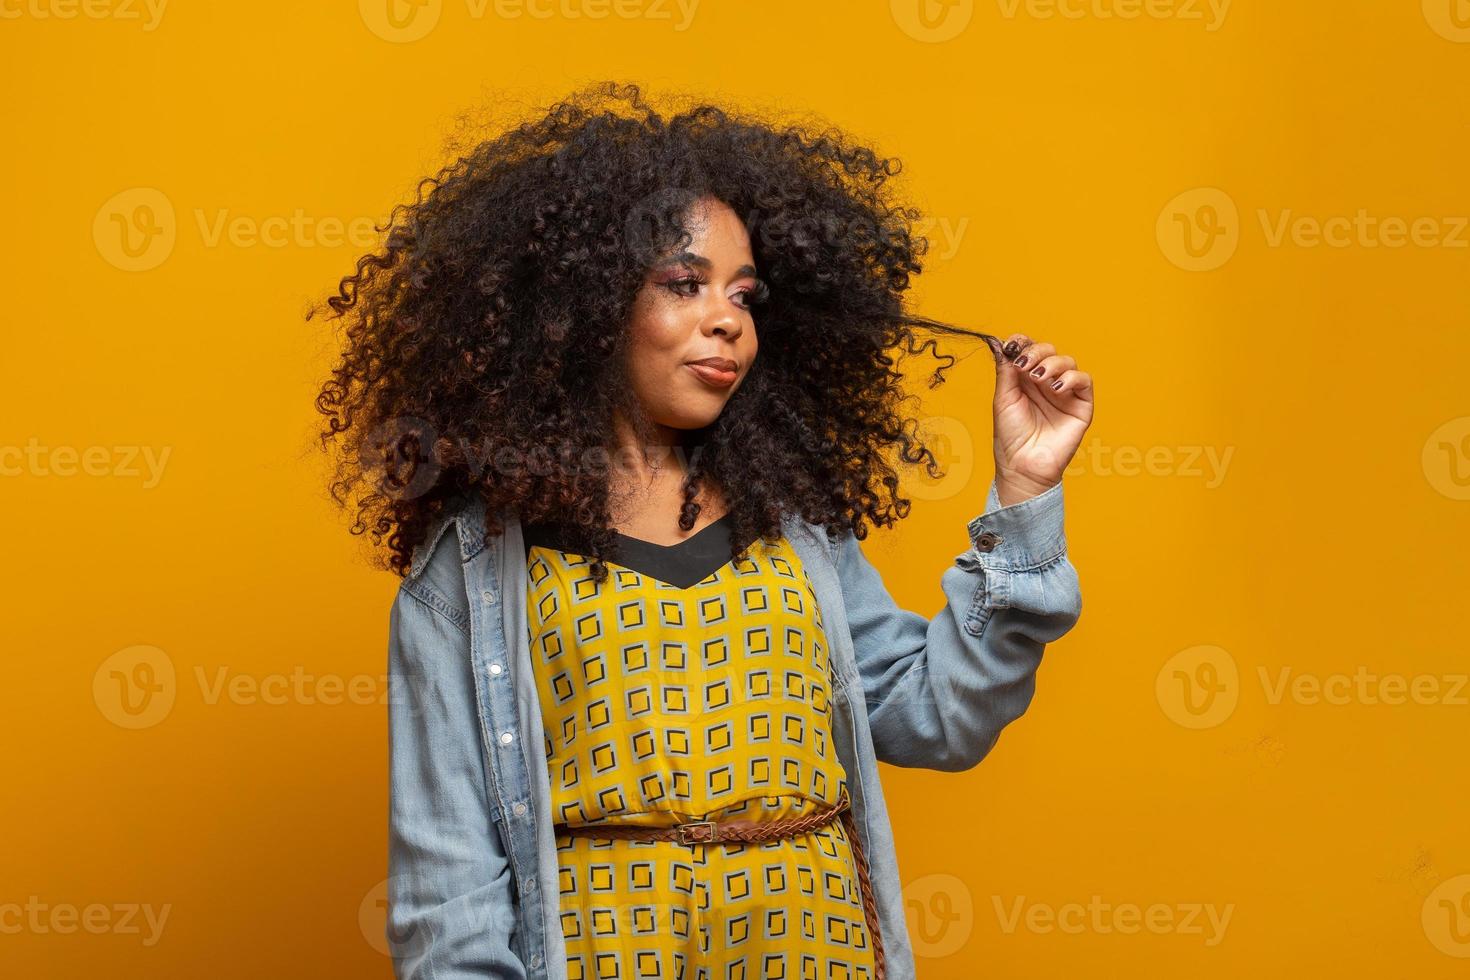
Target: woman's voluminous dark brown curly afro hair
pixel 476 356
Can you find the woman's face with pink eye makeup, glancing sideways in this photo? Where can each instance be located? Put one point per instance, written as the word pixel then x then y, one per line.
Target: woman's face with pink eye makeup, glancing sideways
pixel 695 306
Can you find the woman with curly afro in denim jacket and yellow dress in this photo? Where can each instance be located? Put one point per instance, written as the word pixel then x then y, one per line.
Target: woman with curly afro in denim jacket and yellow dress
pixel 621 394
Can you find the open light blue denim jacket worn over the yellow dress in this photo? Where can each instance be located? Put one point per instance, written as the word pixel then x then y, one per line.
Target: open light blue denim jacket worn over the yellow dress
pixel 473 888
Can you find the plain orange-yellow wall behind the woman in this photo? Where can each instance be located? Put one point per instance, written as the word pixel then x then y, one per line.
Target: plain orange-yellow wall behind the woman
pixel 1074 152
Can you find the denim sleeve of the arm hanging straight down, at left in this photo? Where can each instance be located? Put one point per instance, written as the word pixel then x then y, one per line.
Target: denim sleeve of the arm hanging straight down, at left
pixel 451 909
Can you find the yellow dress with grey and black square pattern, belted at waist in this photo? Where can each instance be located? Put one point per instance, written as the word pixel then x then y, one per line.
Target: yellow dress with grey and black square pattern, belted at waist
pixel 690 687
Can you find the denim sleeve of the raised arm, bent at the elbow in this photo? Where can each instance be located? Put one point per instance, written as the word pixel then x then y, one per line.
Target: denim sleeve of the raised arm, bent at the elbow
pixel 940 690
